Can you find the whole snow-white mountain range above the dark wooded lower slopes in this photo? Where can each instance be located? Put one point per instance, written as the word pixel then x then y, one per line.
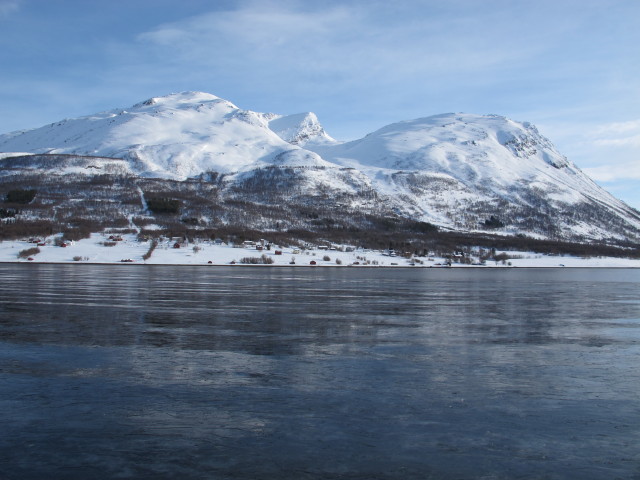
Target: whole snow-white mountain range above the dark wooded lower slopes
pixel 454 169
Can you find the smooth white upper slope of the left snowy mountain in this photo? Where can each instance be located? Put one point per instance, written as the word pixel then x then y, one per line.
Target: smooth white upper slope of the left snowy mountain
pixel 177 136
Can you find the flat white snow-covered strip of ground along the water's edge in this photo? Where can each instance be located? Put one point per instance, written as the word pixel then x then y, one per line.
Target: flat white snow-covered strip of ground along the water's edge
pixel 130 251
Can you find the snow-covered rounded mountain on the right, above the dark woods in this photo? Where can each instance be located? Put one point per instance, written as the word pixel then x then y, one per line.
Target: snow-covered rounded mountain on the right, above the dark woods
pixel 438 164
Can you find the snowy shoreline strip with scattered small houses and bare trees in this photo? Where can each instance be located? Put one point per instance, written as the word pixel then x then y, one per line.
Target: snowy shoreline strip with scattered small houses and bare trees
pixel 129 249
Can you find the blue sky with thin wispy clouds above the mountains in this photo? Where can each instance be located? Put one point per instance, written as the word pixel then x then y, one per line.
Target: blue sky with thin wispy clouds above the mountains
pixel 571 67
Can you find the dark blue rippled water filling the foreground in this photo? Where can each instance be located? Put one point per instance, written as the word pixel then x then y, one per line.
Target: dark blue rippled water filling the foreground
pixel 275 373
